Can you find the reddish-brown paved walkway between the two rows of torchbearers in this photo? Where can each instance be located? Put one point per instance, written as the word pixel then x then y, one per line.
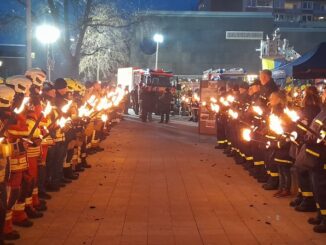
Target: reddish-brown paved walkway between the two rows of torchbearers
pixel 164 184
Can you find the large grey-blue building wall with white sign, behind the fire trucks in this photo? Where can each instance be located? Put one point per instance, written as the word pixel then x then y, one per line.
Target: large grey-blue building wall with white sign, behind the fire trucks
pixel 200 40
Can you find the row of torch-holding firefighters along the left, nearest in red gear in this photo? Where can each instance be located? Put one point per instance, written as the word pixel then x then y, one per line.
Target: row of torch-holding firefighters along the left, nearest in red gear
pixel 47 130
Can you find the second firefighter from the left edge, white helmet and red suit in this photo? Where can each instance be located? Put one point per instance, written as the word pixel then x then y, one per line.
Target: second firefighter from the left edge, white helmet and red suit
pixel 19 178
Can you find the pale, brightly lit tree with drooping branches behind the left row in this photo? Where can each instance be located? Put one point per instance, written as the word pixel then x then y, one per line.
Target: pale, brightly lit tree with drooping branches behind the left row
pixel 106 43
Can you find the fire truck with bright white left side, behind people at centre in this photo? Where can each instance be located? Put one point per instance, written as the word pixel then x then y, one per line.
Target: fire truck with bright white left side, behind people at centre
pixel 136 79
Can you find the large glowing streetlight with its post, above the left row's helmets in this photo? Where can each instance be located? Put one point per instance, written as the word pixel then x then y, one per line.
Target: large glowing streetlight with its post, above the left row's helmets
pixel 48 34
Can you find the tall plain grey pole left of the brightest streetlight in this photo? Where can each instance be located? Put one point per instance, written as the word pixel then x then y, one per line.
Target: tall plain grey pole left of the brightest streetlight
pixel 28 34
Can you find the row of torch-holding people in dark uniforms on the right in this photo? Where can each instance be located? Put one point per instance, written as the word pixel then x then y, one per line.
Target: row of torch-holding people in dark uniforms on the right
pixel 273 136
